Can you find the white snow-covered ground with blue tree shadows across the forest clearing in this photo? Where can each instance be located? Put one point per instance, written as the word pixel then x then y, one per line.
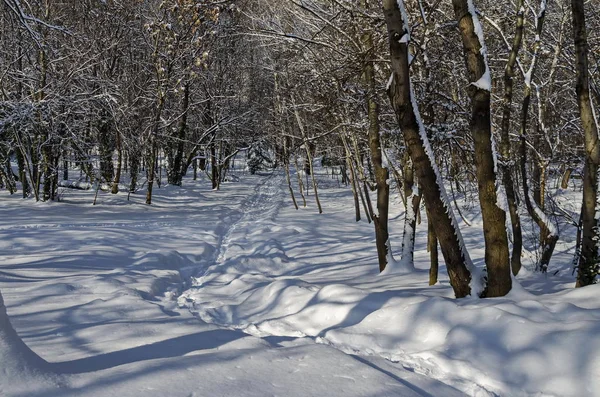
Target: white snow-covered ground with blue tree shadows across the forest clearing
pixel 235 293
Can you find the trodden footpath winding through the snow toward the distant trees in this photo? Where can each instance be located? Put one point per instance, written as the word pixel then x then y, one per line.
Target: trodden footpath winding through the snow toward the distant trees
pixel 247 261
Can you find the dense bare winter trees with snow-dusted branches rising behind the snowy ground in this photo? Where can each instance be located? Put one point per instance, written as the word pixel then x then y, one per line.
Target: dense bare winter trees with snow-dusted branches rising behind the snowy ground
pixel 479 98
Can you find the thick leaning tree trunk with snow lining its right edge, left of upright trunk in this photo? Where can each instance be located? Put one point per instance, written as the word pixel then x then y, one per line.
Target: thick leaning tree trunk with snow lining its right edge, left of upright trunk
pixel 432 188
